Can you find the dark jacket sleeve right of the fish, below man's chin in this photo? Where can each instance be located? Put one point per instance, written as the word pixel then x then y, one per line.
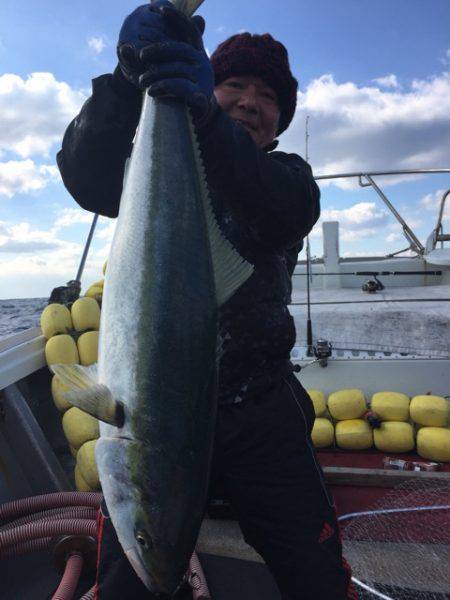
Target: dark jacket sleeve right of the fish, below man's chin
pixel 276 191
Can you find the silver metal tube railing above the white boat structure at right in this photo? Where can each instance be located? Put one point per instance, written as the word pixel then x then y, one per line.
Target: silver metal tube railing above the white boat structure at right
pixel 365 179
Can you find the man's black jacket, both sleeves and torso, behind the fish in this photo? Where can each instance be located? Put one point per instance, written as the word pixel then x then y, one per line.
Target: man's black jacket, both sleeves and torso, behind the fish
pixel 265 203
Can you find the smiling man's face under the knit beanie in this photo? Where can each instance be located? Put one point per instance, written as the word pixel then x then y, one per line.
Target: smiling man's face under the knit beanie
pixel 253 103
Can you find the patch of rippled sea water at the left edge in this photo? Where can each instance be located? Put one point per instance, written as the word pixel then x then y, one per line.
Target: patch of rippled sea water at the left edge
pixel 19 314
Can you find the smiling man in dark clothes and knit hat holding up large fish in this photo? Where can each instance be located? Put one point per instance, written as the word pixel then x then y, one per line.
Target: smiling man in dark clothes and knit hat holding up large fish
pixel 265 202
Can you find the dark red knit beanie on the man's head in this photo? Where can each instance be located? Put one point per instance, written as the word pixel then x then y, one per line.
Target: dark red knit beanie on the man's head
pixel 260 55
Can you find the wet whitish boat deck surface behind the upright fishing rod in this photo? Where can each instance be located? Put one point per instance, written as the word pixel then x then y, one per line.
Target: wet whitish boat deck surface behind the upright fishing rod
pixel 404 319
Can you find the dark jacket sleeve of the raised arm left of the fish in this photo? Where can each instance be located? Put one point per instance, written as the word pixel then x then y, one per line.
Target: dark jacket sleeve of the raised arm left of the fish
pixel 96 145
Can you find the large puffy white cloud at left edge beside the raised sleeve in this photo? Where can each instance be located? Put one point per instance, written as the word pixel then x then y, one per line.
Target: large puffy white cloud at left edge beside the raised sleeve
pixel 35 112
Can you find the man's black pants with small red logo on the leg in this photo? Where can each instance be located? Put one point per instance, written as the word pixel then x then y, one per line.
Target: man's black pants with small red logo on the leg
pixel 264 456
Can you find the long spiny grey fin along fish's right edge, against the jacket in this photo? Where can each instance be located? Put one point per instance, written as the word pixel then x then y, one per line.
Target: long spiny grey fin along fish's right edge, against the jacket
pixel 231 270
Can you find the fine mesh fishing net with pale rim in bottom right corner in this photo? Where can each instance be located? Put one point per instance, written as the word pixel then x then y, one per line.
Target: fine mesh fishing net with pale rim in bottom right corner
pixel 400 549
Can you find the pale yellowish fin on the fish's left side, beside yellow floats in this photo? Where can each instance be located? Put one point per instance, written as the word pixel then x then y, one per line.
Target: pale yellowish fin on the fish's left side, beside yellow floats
pixel 87 394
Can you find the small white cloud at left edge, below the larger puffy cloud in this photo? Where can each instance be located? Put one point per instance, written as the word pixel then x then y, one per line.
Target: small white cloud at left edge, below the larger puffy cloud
pixel 24 176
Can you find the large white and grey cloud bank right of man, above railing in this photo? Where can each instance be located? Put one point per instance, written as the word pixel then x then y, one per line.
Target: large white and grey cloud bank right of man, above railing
pixel 355 128
